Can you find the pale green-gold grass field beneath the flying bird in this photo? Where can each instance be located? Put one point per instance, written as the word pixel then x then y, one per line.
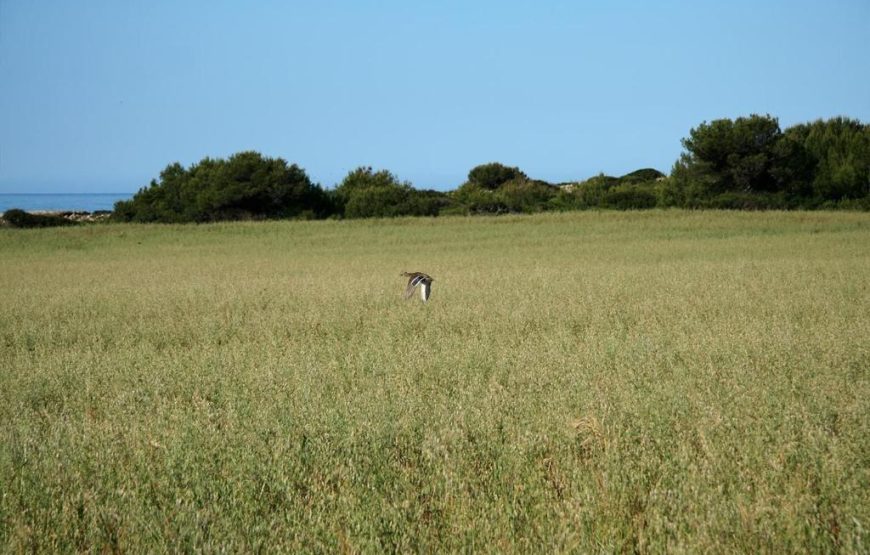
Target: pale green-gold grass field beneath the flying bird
pixel 650 382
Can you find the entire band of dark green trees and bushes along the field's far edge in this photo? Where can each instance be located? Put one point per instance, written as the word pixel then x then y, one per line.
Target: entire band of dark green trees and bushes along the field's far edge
pixel 747 163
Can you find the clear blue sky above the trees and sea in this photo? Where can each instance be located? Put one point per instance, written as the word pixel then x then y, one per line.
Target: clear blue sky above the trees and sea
pixel 99 96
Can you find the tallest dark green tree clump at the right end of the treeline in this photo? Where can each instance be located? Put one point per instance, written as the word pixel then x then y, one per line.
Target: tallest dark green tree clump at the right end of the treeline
pixel 751 162
